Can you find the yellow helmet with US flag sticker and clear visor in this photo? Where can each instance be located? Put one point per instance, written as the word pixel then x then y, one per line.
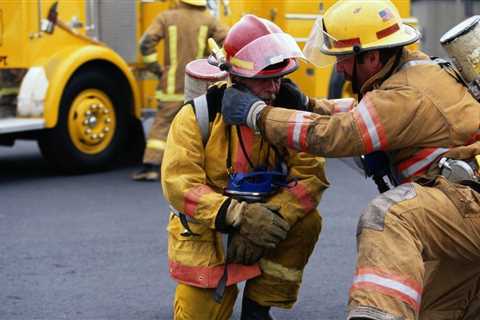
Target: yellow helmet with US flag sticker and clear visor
pixel 351 26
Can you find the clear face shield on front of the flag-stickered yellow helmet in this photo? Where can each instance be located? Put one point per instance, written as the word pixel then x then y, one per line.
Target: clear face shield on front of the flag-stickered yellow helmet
pixel 319 39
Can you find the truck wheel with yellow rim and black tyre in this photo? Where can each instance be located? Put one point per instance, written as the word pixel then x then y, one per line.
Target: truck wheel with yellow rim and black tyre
pixel 91 127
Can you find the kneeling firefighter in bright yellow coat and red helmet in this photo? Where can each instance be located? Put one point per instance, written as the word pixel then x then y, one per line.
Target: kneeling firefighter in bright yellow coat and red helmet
pixel 270 239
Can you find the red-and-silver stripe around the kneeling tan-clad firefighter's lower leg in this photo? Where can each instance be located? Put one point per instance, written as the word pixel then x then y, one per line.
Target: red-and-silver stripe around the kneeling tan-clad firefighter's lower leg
pixel 406 290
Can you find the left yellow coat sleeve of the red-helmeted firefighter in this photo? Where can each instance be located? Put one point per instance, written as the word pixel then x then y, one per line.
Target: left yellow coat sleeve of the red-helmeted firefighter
pixel 183 175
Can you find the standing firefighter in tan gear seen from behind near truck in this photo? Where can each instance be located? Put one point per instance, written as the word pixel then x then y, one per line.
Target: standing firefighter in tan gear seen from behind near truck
pixel 185 30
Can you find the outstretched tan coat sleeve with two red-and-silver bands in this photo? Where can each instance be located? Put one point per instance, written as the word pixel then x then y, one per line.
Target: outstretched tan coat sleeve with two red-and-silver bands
pixel 382 120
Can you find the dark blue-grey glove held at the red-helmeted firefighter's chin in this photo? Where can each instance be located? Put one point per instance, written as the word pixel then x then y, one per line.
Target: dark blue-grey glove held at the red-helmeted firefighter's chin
pixel 240 106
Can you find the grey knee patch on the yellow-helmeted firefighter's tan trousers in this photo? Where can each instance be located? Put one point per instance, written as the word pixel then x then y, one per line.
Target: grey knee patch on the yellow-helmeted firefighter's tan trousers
pixel 374 216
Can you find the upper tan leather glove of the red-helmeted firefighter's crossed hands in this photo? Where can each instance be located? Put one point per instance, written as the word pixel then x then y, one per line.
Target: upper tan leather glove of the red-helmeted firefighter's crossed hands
pixel 258 222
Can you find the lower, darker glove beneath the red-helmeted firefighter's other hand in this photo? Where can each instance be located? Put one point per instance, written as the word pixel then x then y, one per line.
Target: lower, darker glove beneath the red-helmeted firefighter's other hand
pixel 243 251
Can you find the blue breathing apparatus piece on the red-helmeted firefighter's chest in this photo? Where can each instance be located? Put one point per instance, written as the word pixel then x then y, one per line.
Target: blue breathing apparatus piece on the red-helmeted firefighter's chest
pixel 255 186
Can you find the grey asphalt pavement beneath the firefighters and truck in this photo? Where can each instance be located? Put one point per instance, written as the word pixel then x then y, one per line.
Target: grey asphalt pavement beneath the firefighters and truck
pixel 93 247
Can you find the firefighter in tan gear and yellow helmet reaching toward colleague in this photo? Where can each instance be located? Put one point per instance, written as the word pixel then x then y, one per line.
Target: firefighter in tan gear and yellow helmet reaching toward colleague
pixel 419 242
